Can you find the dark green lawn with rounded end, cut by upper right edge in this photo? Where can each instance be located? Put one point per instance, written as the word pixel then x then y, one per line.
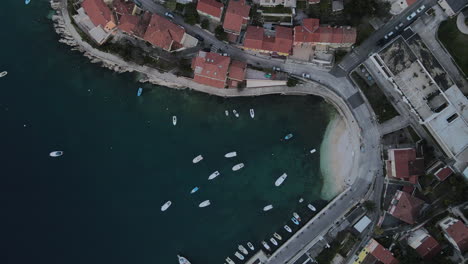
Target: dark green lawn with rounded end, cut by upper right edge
pixel 455 42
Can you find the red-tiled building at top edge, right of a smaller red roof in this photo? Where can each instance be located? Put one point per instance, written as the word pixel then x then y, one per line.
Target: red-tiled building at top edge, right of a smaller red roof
pixel 237 16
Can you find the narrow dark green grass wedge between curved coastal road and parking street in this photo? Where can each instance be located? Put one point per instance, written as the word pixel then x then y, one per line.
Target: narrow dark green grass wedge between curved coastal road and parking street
pixel 382 107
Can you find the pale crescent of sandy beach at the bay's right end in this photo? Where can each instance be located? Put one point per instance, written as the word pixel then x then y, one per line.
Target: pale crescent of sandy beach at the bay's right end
pixel 336 157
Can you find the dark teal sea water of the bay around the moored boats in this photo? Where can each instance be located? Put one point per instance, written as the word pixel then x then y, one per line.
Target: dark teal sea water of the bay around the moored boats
pixel 100 202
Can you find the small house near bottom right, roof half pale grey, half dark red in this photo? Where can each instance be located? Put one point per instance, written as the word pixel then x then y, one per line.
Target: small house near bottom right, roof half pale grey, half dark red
pixel 426 246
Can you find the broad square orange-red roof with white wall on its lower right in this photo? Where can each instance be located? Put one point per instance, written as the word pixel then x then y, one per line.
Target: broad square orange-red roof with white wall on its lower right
pixel 164 34
